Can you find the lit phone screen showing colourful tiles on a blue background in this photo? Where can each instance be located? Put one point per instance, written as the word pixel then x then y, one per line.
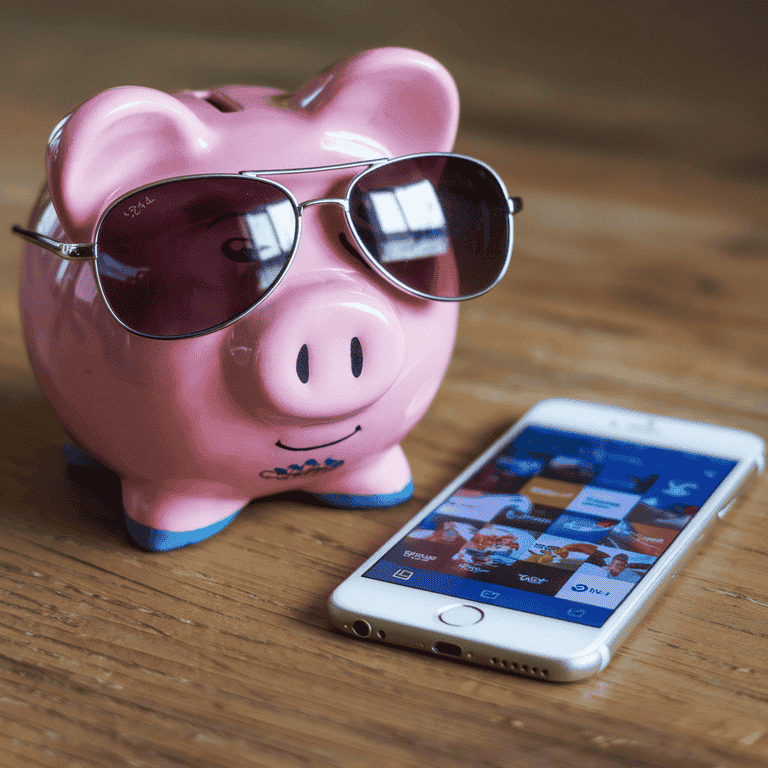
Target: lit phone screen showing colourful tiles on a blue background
pixel 557 524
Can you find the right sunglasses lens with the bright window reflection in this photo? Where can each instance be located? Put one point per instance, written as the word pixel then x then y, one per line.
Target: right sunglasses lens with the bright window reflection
pixel 437 224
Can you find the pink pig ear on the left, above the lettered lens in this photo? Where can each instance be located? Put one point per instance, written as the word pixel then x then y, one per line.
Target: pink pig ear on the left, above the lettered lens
pixel 117 141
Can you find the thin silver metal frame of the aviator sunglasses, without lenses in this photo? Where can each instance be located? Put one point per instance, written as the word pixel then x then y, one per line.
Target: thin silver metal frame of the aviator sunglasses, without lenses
pixel 89 251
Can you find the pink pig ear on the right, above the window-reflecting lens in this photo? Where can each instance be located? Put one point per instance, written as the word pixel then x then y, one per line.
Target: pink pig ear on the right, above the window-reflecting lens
pixel 404 98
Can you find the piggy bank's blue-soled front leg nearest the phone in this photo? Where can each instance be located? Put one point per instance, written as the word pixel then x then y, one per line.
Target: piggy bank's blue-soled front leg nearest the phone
pixel 382 480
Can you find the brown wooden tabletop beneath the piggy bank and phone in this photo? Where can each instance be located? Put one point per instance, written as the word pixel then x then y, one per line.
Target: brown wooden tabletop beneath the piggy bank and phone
pixel 639 279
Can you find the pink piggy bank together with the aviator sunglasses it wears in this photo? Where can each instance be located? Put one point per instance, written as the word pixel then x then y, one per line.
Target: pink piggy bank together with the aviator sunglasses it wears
pixel 233 293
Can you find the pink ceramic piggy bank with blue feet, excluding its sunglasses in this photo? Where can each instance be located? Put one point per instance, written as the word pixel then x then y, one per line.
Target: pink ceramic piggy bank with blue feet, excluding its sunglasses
pixel 312 390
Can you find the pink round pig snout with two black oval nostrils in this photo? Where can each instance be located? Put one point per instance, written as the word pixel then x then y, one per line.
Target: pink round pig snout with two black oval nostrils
pixel 323 352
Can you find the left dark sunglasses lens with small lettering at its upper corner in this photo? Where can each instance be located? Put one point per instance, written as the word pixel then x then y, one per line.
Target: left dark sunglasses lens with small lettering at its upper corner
pixel 189 255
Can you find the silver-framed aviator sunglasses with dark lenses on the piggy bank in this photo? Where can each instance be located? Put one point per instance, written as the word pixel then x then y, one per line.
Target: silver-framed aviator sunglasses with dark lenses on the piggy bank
pixel 188 256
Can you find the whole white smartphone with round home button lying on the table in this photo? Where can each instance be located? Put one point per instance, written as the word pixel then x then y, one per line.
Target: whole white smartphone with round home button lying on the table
pixel 544 554
